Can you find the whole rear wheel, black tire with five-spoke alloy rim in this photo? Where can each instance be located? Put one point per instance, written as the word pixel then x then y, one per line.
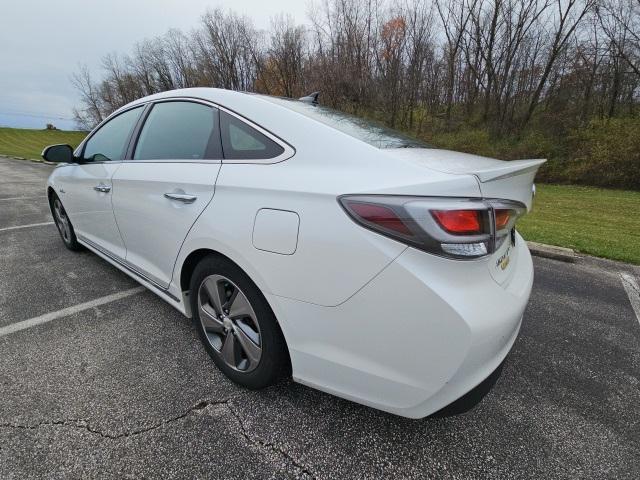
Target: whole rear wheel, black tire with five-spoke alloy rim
pixel 236 324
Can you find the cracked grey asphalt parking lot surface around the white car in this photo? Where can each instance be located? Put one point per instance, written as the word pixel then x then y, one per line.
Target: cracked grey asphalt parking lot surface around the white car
pixel 124 389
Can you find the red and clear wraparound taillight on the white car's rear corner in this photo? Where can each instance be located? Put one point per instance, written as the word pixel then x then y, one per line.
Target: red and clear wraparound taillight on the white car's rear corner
pixel 451 227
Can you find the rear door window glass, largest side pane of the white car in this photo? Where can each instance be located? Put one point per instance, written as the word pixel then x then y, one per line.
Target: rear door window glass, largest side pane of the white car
pixel 180 131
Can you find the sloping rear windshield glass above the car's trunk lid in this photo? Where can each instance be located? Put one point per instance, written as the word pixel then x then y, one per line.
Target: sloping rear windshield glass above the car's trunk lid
pixel 368 131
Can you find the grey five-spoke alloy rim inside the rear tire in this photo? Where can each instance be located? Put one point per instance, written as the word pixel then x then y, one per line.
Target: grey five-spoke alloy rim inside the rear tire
pixel 230 323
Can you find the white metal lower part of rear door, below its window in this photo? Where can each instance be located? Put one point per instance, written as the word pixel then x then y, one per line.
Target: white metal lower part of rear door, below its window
pixel 154 225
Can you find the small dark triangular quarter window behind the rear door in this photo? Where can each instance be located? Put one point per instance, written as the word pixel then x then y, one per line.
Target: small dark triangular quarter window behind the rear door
pixel 241 141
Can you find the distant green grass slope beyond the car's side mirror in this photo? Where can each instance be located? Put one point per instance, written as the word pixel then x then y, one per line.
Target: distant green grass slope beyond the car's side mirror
pixel 18 142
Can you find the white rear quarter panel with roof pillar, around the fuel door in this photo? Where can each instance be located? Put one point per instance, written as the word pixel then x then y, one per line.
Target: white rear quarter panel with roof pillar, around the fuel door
pixel 334 256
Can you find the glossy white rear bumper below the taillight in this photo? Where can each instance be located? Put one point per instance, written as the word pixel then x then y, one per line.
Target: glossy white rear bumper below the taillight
pixel 417 337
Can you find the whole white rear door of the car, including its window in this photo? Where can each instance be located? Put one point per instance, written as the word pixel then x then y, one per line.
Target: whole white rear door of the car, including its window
pixel 168 182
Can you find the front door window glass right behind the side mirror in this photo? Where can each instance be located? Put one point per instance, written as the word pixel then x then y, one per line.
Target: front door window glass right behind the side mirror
pixel 111 140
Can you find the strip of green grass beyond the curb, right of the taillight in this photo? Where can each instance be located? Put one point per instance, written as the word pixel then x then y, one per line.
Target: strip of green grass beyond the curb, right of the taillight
pixel 600 222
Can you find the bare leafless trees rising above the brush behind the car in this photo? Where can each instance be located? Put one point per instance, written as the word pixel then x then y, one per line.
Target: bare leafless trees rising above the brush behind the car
pixel 424 66
